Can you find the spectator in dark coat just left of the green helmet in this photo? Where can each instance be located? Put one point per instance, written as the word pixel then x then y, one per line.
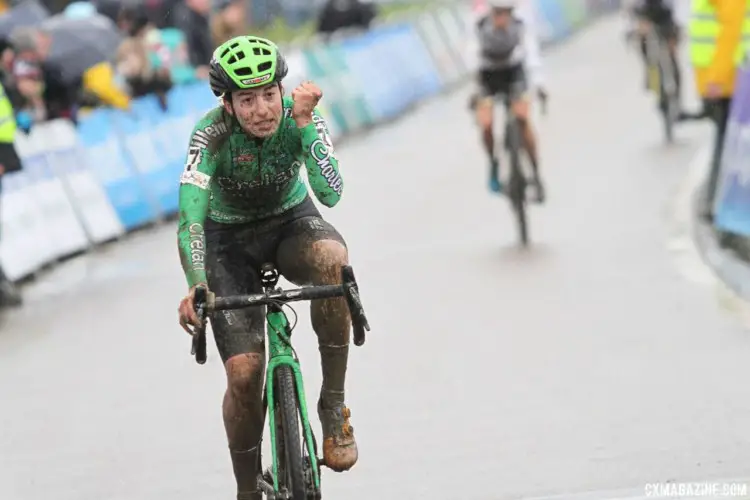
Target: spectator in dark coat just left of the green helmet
pixel 192 17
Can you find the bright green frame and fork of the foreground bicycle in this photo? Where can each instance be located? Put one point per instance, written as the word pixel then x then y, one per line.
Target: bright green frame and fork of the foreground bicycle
pixel 280 353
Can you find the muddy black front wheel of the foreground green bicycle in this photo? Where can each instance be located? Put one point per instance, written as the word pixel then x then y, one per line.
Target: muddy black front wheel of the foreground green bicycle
pixel 293 476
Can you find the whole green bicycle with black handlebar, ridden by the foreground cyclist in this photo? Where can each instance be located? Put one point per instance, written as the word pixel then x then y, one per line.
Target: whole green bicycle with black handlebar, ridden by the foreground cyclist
pixel 295 469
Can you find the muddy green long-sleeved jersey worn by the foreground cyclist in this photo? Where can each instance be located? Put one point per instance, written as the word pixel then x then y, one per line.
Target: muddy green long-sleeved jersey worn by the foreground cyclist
pixel 232 178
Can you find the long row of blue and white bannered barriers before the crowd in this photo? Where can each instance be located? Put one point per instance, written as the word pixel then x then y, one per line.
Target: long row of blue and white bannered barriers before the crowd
pixel 118 171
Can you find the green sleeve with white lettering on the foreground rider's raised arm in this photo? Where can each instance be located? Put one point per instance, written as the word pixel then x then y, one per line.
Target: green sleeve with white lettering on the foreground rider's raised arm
pixel 321 162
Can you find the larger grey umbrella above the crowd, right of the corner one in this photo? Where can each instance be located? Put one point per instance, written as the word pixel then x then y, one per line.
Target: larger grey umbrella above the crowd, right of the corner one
pixel 78 44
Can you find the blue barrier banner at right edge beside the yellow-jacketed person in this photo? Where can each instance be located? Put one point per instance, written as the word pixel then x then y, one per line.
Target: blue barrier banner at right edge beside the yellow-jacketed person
pixel 732 209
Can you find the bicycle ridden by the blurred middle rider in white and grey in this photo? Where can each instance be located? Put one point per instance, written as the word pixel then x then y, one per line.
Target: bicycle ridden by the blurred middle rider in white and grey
pixel 514 146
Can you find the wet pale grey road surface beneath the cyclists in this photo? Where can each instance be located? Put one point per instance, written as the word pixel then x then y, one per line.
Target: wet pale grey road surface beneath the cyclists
pixel 587 363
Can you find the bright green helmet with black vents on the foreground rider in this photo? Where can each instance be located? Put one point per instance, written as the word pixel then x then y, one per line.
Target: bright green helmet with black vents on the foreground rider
pixel 245 62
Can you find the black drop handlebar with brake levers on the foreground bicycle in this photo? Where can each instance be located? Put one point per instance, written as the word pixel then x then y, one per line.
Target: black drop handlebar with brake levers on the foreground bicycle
pixel 206 302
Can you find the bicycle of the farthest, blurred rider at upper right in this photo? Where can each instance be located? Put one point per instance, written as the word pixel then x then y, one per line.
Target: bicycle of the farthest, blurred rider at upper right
pixel 662 80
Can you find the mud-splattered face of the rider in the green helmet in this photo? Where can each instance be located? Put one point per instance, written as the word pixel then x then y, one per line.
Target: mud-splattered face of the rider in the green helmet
pixel 257 110
